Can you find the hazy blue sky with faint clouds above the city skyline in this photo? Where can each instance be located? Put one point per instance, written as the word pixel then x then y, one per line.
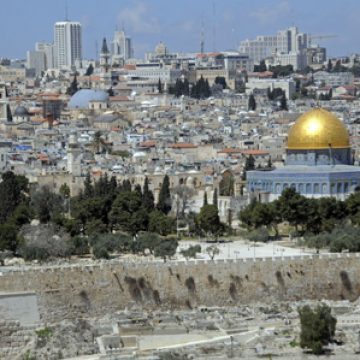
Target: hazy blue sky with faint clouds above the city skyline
pixel 178 22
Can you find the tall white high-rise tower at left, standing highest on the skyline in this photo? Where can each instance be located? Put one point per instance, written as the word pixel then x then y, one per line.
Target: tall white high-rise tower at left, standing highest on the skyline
pixel 67 43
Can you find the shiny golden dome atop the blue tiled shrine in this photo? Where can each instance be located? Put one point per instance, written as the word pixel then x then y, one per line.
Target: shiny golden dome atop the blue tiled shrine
pixel 318 129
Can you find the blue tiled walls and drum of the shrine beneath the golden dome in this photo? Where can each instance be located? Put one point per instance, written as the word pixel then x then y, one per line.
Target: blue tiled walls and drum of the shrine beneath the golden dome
pixel 312 173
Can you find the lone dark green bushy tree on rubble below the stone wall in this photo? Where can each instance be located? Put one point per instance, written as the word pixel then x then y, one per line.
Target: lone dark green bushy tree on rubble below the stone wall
pixel 317 328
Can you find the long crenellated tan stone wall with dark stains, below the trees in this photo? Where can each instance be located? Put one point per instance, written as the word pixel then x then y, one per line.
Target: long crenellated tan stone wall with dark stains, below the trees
pixel 75 291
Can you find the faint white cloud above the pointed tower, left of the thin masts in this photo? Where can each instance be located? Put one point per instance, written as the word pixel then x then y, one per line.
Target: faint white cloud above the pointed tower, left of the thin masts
pixel 138 19
